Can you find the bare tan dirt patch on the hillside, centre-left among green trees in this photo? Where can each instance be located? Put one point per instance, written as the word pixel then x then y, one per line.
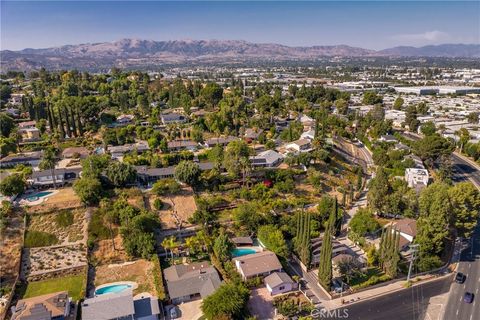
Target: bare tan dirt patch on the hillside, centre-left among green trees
pixel 178 209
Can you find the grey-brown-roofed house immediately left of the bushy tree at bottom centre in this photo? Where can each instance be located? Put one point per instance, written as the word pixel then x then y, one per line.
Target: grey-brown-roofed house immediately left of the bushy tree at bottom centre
pixel 189 282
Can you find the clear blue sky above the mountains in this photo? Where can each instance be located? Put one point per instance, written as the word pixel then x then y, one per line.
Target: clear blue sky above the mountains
pixel 373 25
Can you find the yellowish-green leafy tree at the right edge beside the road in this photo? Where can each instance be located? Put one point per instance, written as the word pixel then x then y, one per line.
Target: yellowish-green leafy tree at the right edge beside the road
pixel 465 200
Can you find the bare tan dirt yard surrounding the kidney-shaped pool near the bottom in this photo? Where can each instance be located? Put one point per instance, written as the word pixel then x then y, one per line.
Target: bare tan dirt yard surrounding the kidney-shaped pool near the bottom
pixel 140 272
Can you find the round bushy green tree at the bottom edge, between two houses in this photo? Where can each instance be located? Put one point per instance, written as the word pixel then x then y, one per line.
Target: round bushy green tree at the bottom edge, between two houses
pixel 227 302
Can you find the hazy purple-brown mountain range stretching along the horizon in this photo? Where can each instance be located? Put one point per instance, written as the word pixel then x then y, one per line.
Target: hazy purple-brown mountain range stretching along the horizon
pixel 143 53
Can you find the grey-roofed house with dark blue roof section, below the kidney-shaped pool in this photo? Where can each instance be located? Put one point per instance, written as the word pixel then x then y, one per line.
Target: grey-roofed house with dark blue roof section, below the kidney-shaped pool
pixel 120 305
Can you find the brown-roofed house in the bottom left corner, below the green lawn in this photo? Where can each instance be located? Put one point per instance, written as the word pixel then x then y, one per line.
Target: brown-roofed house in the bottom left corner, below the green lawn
pixel 55 306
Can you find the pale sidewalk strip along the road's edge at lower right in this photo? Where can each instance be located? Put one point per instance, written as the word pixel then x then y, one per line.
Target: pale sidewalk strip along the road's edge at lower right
pixel 373 293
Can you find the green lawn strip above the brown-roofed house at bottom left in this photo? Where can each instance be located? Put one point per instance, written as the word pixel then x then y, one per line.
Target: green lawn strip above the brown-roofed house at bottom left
pixel 75 286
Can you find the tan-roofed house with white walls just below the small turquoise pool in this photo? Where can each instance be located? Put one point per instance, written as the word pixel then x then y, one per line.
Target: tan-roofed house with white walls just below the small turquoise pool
pixel 258 264
